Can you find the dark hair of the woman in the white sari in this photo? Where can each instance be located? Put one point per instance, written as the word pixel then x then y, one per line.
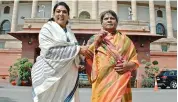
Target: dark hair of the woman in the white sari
pixel 60 4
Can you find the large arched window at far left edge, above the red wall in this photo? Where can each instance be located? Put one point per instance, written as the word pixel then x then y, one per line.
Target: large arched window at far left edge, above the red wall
pixel 5 27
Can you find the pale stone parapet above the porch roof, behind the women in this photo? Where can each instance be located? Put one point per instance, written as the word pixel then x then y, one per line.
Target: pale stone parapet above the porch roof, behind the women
pixel 89 24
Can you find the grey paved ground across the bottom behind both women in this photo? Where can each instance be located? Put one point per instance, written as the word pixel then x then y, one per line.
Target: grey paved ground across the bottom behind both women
pixel 10 93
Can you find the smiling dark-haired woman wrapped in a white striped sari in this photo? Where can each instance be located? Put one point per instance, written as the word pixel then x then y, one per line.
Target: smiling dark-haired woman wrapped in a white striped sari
pixel 55 73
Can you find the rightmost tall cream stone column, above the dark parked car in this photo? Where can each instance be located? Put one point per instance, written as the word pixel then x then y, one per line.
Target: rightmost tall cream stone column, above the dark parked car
pixel 169 20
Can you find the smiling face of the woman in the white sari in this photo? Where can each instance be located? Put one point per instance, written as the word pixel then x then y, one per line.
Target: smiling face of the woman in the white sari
pixel 61 16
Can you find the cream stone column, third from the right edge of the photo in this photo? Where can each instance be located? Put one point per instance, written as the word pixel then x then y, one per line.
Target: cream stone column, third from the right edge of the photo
pixel 134 10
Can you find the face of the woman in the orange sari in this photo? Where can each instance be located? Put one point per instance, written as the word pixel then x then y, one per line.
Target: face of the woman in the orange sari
pixel 109 22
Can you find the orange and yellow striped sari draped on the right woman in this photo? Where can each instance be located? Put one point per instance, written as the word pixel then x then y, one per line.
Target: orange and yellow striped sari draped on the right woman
pixel 107 84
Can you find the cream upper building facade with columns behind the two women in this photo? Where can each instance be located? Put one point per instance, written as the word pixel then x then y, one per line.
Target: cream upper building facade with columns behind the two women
pixel 159 14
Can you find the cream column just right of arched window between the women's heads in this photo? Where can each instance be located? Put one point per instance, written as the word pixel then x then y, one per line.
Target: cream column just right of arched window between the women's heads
pixel 94 9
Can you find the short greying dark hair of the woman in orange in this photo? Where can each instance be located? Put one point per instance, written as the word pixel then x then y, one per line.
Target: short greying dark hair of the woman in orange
pixel 106 12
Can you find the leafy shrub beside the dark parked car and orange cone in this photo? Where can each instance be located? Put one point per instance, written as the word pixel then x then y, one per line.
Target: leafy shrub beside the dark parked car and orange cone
pixel 151 69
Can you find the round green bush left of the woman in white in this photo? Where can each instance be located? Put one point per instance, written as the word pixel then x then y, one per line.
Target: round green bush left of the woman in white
pixel 21 70
